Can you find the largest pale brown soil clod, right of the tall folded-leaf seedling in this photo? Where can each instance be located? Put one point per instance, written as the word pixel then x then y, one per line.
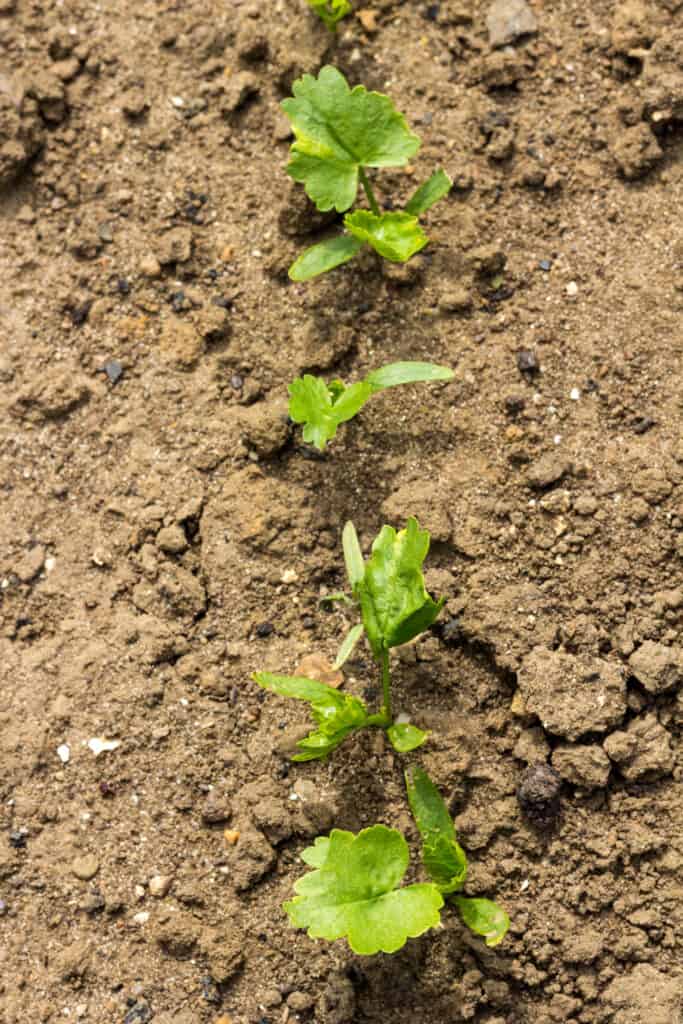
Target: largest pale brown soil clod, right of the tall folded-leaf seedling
pixel 573 695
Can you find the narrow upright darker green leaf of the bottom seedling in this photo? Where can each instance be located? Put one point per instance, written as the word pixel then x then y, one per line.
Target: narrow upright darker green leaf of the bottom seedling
pixel 443 857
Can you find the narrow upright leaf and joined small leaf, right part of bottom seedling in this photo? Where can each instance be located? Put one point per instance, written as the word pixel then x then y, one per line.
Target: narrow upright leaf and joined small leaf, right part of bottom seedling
pixel 445 860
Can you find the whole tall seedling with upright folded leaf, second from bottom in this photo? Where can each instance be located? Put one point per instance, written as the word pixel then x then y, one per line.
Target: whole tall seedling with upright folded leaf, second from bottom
pixel 396 608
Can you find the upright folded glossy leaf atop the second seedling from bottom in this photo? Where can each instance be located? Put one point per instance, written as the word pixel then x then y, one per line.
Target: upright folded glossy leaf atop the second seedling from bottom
pixel 395 605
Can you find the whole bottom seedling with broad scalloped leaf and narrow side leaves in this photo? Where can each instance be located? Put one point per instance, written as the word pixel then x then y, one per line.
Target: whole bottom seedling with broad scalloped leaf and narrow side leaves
pixel 355 889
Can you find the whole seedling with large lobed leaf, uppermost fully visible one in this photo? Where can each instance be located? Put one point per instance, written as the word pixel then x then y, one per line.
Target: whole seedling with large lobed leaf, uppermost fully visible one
pixel 340 133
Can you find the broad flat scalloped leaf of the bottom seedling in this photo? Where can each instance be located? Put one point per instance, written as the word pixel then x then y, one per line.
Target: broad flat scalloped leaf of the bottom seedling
pixel 354 893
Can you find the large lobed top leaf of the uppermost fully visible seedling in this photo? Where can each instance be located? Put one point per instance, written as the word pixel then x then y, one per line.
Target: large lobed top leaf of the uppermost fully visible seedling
pixel 339 131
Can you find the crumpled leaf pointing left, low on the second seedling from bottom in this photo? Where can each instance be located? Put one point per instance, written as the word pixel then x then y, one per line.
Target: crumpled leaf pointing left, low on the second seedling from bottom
pixel 337 715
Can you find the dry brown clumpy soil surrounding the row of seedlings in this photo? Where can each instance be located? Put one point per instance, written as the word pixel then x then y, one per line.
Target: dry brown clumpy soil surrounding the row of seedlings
pixel 164 532
